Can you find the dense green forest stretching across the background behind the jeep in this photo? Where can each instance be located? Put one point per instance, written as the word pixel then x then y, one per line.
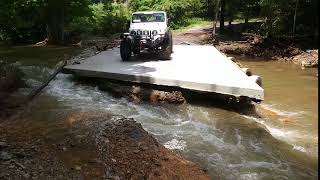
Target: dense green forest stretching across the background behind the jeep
pixel 29 21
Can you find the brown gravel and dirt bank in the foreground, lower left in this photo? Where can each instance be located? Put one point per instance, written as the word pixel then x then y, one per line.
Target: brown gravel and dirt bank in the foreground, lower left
pixel 89 146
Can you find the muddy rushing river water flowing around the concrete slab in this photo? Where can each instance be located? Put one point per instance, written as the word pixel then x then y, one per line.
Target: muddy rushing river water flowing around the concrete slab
pixel 281 144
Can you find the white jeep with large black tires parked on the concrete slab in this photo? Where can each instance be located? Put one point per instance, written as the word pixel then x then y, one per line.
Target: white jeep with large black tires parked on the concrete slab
pixel 149 32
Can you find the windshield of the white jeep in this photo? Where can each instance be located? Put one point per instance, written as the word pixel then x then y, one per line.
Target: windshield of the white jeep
pixel 144 18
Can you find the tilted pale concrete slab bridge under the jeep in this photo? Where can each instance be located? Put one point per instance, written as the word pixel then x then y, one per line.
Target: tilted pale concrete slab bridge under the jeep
pixel 201 68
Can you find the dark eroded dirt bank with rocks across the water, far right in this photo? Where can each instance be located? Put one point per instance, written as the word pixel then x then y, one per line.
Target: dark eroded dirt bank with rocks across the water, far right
pixel 252 45
